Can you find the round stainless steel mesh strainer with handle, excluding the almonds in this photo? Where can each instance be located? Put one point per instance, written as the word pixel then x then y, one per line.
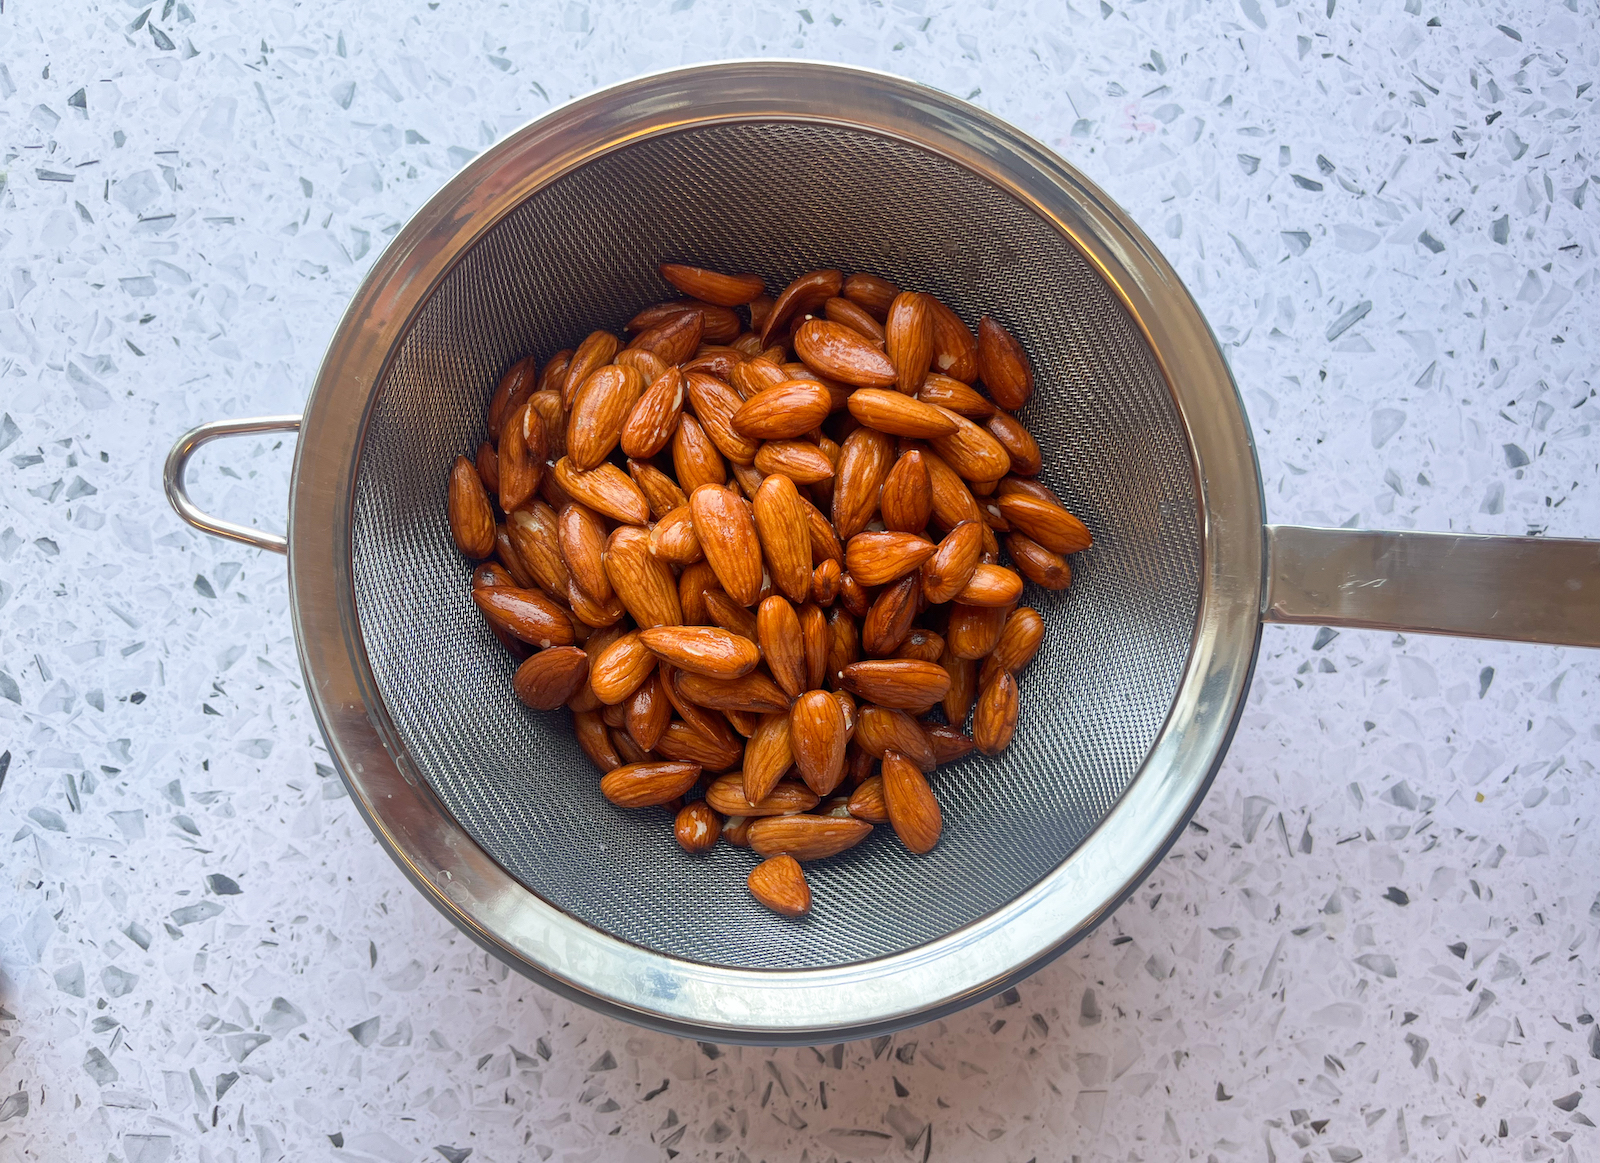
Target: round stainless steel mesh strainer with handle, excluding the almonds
pixel 785 167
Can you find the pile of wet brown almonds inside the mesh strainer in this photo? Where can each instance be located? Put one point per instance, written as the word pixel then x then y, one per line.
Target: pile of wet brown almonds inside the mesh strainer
pixel 714 540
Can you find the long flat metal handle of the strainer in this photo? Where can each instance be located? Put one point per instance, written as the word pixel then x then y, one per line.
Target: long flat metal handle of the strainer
pixel 1521 589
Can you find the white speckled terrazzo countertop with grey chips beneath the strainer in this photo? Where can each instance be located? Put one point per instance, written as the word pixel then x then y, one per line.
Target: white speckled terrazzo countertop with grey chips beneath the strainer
pixel 1377 941
